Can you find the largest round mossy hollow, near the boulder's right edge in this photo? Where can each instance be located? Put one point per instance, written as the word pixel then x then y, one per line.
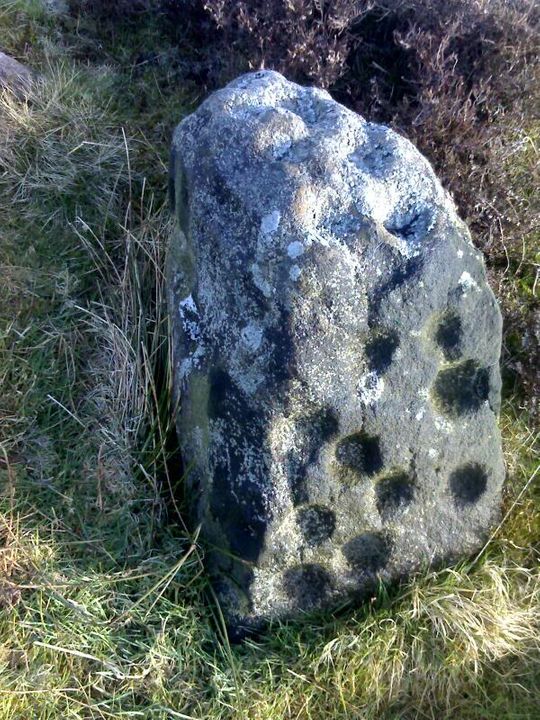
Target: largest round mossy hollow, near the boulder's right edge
pixel 461 388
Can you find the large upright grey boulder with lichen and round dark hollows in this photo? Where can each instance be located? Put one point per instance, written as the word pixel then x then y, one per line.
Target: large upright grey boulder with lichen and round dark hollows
pixel 336 352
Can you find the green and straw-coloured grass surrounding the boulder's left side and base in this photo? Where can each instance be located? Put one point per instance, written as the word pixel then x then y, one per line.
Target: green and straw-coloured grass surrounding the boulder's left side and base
pixel 105 611
